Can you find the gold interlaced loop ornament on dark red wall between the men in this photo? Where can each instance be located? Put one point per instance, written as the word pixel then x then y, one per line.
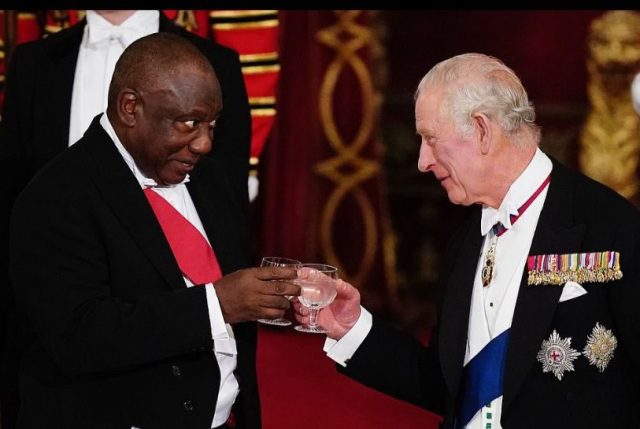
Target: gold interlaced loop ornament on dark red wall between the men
pixel 352 47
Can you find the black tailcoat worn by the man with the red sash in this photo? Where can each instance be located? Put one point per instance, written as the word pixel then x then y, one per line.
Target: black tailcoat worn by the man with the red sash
pixel 117 340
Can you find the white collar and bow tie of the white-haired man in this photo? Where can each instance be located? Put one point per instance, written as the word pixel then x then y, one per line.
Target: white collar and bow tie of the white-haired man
pixel 519 191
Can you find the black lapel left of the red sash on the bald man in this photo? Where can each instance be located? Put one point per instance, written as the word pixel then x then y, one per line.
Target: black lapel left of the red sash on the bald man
pixel 123 194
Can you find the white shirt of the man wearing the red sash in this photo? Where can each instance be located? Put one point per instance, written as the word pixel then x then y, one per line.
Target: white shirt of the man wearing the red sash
pixel 224 344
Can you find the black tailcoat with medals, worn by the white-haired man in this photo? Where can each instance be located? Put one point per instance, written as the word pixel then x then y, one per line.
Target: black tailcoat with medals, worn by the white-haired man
pixel 579 215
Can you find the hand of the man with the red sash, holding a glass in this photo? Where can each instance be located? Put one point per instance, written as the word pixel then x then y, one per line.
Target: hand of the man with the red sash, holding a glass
pixel 251 293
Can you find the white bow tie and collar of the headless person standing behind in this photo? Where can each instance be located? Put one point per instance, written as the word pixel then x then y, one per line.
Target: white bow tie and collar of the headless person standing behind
pixel 141 23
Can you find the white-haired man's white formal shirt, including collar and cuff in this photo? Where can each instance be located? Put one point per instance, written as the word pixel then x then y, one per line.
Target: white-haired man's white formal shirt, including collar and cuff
pixel 492 306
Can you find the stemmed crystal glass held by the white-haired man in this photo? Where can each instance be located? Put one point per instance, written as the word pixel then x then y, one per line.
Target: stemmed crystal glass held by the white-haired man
pixel 317 291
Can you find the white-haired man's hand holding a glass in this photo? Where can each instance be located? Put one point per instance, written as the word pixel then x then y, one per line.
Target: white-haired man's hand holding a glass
pixel 340 316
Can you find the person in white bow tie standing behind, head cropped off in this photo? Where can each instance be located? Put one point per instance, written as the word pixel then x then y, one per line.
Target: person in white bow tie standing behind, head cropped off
pixel 54 87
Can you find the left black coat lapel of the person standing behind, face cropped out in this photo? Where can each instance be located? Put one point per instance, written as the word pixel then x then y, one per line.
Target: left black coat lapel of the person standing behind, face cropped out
pixel 52 102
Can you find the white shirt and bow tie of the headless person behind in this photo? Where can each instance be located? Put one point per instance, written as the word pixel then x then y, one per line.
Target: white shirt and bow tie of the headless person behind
pixel 101 46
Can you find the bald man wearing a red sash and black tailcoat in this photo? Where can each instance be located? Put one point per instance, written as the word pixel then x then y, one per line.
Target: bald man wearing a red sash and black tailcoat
pixel 128 330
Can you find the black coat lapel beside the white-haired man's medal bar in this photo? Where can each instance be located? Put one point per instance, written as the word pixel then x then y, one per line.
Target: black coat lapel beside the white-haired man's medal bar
pixel 556 233
